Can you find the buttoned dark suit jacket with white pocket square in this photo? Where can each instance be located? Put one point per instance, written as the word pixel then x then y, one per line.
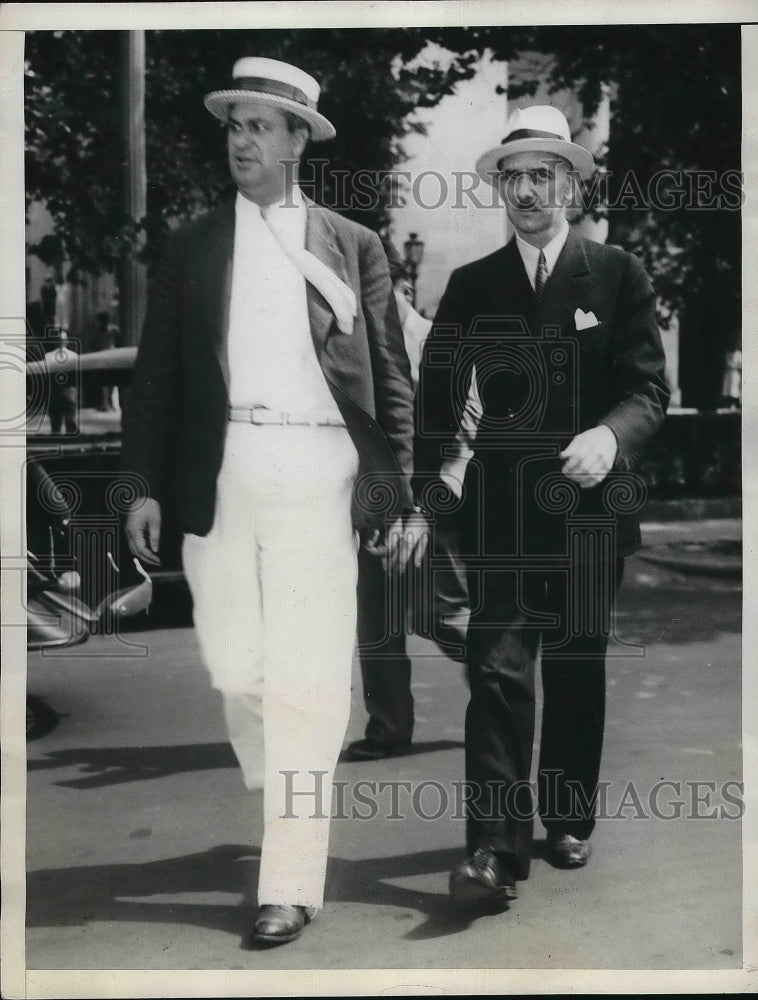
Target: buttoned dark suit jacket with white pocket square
pixel 542 381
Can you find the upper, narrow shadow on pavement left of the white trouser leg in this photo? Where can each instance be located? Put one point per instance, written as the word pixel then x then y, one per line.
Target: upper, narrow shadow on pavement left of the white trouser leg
pixel 116 765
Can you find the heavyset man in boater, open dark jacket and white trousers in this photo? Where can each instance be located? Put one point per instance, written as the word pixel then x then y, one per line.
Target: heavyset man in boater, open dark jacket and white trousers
pixel 272 402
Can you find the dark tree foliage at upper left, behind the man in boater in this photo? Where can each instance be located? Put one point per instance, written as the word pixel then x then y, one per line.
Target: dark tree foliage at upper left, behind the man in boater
pixel 73 159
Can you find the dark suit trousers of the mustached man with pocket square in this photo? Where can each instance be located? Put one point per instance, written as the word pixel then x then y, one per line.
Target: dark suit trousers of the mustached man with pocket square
pixel 567 615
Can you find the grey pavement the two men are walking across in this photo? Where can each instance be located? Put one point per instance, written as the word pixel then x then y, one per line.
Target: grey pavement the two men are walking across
pixel 143 846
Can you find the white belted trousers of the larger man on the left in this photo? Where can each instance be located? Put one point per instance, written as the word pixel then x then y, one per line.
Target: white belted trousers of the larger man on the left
pixel 274 591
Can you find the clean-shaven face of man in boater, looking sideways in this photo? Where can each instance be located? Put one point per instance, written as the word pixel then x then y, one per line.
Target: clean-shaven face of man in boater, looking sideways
pixel 259 142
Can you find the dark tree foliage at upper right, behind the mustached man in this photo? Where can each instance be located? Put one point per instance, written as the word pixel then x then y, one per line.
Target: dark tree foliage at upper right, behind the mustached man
pixel 676 106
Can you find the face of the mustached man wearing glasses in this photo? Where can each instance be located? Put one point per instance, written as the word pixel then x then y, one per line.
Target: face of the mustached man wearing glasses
pixel 536 188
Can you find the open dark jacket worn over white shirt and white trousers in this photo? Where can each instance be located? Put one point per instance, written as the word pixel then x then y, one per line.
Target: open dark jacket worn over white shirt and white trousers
pixel 176 416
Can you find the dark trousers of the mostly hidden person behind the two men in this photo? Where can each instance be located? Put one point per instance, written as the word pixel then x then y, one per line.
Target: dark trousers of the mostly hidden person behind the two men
pixel 382 609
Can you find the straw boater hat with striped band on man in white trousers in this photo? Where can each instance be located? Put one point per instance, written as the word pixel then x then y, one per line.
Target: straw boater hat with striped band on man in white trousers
pixel 276 83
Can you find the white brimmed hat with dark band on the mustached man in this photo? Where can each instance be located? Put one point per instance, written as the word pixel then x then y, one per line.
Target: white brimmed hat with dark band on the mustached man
pixel 538 129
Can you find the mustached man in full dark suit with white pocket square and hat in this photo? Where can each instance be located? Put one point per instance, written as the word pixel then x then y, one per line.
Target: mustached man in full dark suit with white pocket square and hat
pixel 560 334
